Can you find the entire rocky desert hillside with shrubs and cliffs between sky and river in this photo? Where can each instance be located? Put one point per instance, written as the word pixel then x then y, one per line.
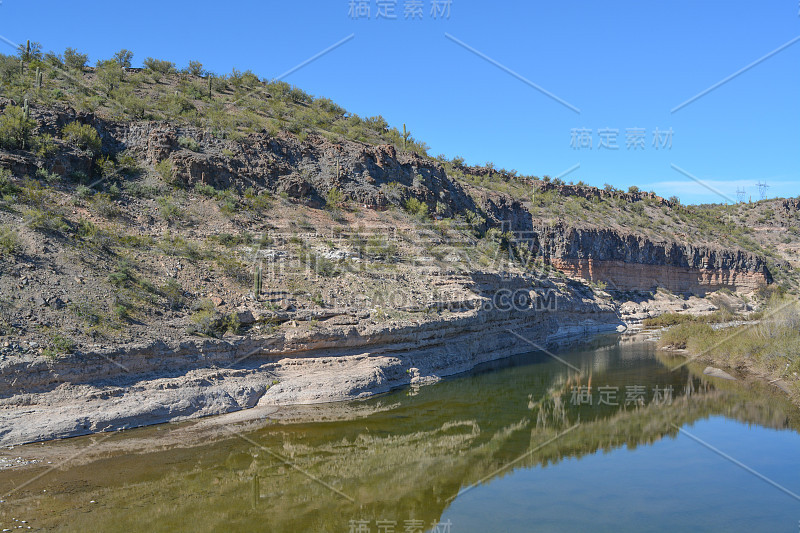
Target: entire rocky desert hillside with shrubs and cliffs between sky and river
pixel 217 242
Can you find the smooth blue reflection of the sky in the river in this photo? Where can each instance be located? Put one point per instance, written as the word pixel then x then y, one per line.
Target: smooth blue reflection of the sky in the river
pixel 675 484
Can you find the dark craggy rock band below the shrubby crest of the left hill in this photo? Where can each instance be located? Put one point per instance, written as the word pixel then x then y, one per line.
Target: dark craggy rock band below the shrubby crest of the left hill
pixel 305 170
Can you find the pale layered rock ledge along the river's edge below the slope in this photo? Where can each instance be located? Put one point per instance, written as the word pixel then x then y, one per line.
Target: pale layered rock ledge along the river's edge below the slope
pixel 157 383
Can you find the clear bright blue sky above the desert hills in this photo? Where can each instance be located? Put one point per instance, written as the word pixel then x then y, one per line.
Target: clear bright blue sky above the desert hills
pixel 624 64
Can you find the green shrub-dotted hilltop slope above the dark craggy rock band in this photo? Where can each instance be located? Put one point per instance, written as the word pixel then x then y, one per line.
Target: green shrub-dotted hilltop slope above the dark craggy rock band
pixel 230 105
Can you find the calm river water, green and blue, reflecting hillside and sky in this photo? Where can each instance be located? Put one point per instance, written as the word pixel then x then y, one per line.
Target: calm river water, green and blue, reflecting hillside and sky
pixel 509 447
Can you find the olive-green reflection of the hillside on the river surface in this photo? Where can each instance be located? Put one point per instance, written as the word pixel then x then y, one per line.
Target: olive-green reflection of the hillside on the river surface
pixel 398 464
